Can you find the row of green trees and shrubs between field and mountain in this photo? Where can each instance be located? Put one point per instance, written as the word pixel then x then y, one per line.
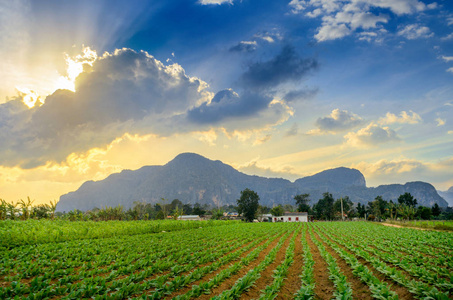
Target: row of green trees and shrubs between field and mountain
pixel 248 207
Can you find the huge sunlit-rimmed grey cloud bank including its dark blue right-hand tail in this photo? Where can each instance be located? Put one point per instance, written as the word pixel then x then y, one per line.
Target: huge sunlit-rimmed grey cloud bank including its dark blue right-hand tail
pixel 126 92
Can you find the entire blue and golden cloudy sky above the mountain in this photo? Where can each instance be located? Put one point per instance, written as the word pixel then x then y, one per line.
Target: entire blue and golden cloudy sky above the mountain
pixel 273 88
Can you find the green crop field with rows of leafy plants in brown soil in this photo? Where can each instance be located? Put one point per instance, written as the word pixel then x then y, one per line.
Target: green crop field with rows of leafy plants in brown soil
pixel 203 260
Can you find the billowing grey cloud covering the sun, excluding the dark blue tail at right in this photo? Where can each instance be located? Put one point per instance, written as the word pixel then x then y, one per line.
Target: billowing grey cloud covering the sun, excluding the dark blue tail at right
pixel 111 98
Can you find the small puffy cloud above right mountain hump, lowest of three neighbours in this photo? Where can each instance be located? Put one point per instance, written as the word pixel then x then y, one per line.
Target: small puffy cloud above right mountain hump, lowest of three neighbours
pixel 371 135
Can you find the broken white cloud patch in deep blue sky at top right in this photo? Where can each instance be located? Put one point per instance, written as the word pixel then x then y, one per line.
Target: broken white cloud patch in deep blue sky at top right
pixel 342 18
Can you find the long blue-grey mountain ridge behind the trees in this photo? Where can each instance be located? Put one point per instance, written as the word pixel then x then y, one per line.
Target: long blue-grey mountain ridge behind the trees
pixel 192 178
